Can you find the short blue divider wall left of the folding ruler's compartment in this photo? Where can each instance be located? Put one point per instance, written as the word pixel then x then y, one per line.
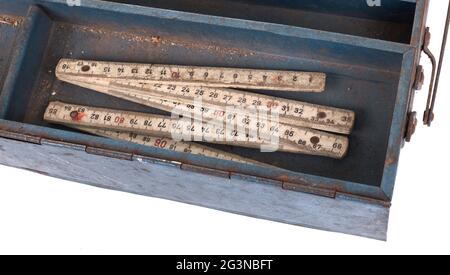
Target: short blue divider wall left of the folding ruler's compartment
pixel 27 54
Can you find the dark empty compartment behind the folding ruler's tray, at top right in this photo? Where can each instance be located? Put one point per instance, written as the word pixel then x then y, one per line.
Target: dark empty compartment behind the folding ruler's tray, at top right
pixel 391 21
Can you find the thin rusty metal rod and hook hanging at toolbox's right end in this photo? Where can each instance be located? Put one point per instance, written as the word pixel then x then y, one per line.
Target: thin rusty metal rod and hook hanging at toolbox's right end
pixel 428 116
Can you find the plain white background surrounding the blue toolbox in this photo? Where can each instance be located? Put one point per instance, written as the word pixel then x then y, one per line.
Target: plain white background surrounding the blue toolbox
pixel 39 214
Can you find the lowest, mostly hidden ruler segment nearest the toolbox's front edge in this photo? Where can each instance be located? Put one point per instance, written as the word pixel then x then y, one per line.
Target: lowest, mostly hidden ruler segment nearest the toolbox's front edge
pixel 168 144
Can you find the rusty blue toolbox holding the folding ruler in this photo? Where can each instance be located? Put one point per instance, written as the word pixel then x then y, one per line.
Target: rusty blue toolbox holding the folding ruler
pixel 370 55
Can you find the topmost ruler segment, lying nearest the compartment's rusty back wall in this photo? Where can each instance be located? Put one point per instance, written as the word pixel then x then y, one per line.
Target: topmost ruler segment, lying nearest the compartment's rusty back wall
pixel 197 76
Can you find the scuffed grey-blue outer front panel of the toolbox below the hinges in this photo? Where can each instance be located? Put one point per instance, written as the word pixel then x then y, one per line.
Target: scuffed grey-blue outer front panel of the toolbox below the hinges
pixel 256 199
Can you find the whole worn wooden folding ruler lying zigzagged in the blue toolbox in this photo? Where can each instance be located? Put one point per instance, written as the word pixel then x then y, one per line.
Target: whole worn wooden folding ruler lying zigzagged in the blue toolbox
pixel 205 94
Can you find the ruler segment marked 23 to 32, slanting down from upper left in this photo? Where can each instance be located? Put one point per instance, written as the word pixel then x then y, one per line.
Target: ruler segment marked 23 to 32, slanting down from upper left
pixel 221 103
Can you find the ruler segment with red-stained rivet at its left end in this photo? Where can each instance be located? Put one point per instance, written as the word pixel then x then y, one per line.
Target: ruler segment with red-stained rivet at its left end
pixel 291 139
